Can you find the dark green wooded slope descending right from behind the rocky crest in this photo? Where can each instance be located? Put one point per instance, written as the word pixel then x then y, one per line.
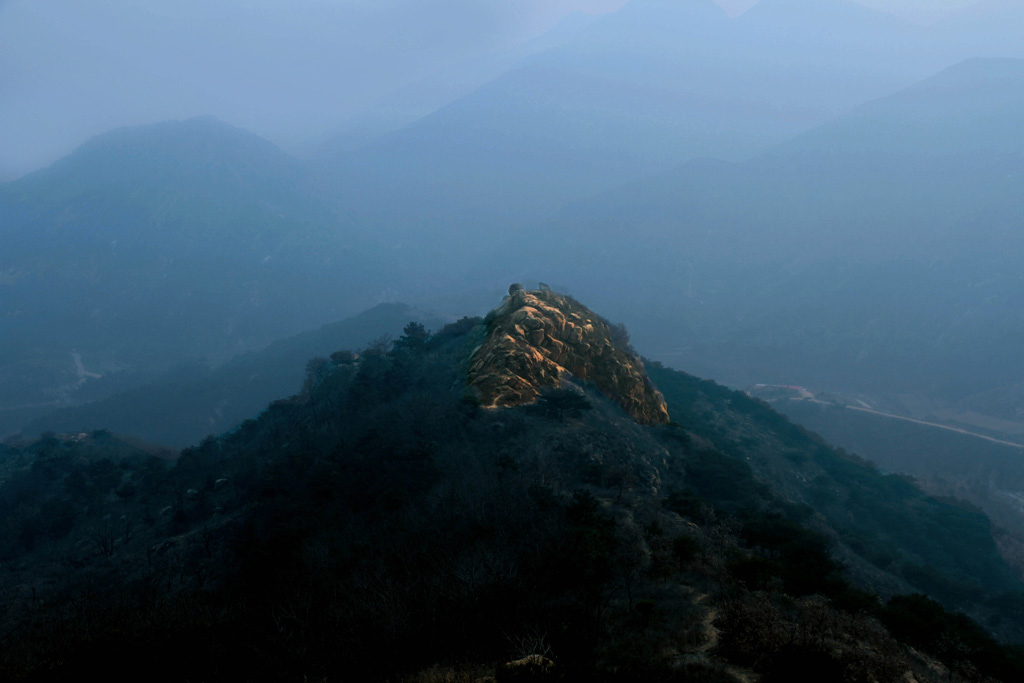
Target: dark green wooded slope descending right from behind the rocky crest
pixel 878 518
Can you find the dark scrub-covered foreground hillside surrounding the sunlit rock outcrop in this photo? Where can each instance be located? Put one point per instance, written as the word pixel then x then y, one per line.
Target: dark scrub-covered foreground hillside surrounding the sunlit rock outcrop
pixel 381 525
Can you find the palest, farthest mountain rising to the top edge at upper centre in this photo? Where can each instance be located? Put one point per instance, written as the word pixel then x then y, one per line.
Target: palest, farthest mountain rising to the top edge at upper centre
pixel 636 93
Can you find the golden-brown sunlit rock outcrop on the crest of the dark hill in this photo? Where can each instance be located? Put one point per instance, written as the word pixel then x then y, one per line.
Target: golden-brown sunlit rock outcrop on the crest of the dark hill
pixel 537 338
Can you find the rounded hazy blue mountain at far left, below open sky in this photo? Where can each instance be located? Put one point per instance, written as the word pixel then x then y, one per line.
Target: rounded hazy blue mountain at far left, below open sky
pixel 152 245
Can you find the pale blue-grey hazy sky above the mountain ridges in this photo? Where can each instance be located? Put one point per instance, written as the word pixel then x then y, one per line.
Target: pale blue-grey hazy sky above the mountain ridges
pixel 286 69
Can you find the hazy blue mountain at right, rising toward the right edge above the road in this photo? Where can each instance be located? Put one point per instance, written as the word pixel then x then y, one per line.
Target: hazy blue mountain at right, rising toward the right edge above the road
pixel 877 253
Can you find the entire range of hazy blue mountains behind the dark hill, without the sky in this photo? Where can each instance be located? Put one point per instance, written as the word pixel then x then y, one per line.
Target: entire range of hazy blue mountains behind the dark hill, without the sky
pixel 187 241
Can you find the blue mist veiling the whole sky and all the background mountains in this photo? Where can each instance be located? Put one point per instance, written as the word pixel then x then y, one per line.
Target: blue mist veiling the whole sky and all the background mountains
pixel 421 153
